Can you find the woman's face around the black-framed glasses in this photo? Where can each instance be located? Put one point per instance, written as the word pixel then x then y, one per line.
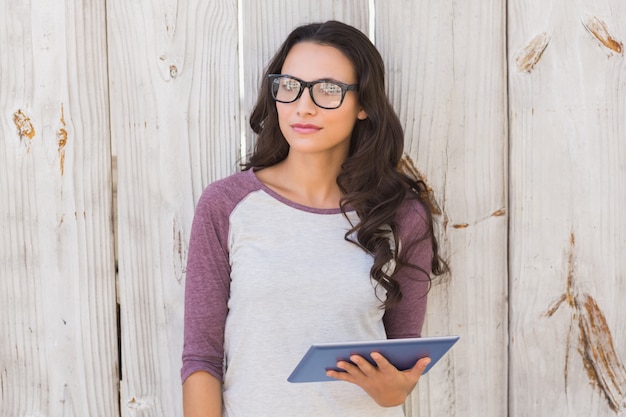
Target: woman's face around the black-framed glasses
pixel 307 127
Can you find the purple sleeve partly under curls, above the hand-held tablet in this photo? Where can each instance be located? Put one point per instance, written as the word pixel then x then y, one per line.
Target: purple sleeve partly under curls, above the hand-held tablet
pixel 406 318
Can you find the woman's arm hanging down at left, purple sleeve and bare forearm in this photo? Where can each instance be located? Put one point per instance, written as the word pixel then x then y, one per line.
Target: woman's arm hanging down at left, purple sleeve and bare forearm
pixel 206 297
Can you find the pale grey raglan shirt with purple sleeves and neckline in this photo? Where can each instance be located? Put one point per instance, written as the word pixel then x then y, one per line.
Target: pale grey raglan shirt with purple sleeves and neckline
pixel 267 277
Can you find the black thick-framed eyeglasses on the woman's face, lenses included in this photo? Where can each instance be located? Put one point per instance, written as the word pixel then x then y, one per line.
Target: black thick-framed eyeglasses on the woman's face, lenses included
pixel 327 94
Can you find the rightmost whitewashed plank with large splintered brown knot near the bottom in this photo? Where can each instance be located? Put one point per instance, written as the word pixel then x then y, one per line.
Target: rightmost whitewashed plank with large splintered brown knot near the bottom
pixel 567 77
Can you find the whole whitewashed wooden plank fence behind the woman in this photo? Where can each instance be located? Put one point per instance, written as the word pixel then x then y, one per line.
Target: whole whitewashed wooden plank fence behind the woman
pixel 114 115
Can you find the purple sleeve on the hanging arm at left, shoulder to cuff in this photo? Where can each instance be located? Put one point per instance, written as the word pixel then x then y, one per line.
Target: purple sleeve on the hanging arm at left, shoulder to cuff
pixel 207 287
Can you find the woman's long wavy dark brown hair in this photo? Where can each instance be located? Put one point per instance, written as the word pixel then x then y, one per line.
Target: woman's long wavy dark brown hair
pixel 370 179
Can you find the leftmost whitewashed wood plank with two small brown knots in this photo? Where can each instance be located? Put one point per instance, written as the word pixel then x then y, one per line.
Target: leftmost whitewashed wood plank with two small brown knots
pixel 58 349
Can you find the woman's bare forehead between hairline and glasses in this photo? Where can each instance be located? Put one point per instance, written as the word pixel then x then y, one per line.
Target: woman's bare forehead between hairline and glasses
pixel 311 61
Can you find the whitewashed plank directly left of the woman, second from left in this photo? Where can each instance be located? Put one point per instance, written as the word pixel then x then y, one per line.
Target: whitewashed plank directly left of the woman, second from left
pixel 175 121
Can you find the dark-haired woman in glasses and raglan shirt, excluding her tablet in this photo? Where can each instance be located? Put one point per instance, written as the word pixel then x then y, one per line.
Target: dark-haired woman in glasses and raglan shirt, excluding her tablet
pixel 321 238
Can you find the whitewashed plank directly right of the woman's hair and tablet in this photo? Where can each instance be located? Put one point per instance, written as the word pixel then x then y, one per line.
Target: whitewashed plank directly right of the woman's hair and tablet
pixel 447 79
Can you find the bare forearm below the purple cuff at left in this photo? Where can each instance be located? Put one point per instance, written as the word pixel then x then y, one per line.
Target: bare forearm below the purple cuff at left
pixel 202 395
